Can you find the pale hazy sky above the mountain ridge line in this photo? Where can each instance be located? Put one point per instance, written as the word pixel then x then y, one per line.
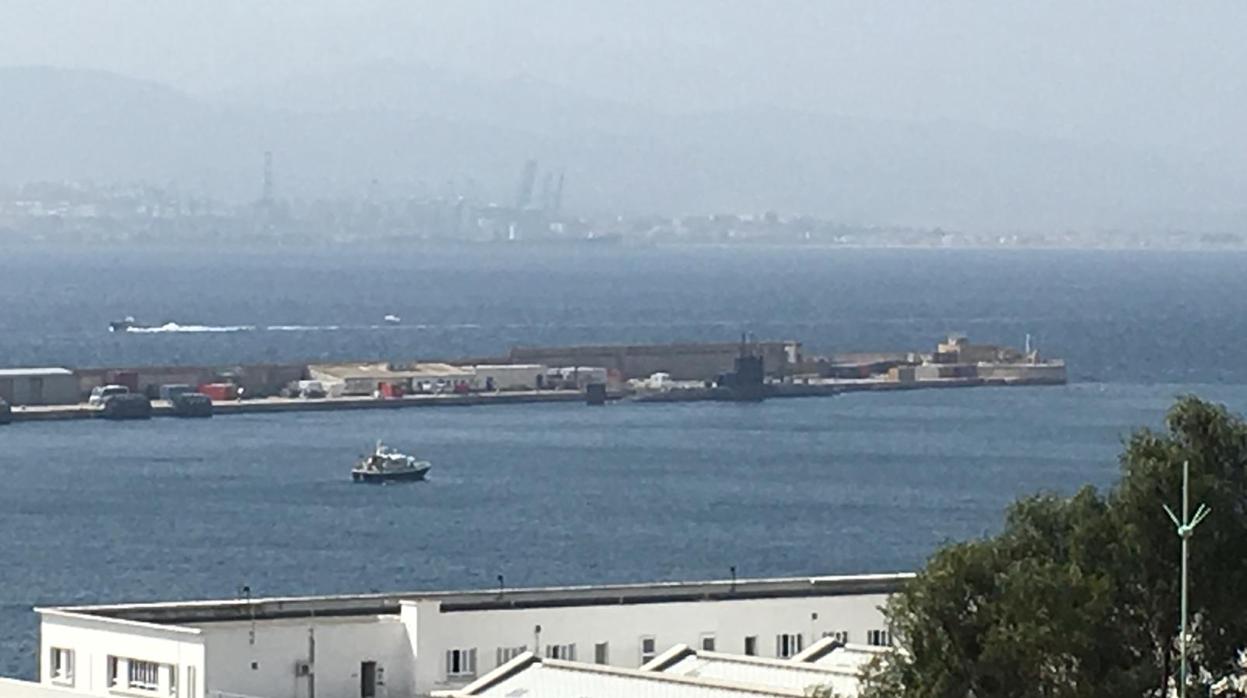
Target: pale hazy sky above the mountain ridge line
pixel 1140 73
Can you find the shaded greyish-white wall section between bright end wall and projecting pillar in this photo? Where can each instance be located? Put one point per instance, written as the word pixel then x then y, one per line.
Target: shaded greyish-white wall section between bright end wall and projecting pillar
pixel 341 646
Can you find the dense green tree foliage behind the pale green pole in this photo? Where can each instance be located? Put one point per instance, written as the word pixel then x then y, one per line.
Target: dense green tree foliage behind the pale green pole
pixel 1079 596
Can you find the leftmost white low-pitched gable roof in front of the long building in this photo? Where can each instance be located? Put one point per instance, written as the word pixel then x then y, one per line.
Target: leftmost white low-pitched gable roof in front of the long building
pixel 532 677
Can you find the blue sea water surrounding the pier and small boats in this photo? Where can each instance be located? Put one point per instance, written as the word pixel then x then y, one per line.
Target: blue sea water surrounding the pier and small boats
pixel 566 494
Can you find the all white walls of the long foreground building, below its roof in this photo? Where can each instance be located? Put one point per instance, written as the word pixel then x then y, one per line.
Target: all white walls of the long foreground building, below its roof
pixel 411 648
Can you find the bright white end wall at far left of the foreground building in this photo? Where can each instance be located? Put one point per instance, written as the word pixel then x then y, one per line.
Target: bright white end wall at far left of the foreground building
pixel 93 640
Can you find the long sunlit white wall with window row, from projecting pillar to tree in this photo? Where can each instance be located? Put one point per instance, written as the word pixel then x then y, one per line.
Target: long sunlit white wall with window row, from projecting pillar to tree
pixel 624 626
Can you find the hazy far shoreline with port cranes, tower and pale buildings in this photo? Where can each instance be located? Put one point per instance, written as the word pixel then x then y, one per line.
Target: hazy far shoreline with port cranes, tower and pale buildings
pixel 102 214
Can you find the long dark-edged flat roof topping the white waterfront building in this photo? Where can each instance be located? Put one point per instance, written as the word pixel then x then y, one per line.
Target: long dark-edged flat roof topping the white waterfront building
pixel 484 600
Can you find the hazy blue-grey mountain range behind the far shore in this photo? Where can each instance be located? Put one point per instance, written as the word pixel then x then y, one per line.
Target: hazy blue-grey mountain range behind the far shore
pixel 415 129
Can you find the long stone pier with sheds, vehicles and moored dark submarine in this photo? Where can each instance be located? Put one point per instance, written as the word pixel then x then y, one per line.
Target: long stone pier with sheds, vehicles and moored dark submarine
pixel 659 373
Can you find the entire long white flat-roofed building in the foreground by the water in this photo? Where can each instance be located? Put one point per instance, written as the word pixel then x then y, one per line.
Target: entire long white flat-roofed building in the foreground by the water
pixel 407 645
